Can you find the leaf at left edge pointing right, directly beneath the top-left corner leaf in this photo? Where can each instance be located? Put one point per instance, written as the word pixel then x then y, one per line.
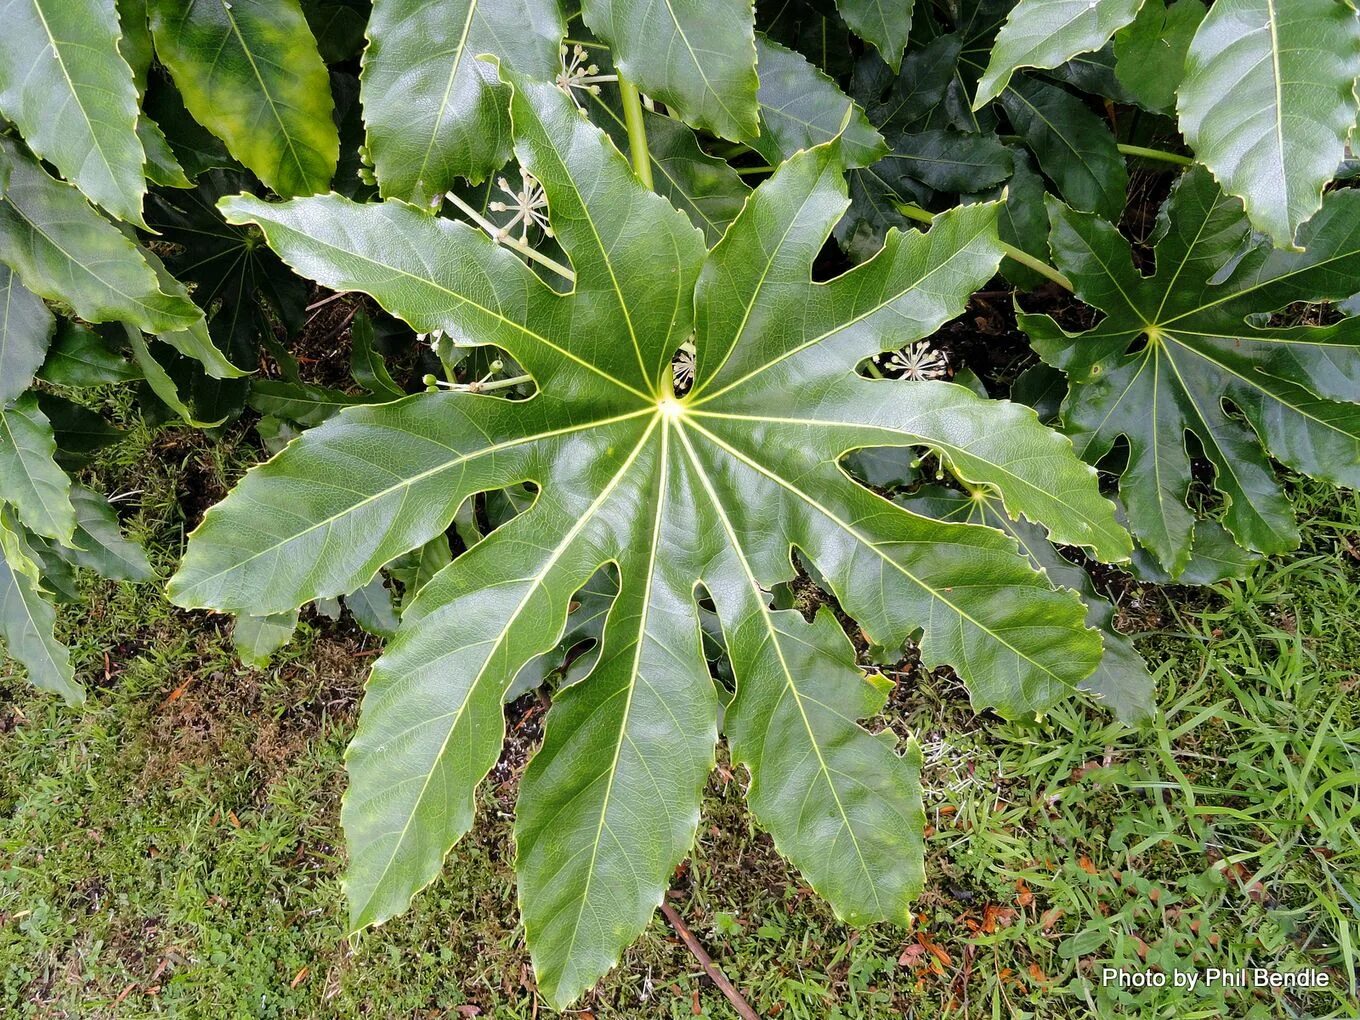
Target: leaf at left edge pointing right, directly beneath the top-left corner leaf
pixel 65 251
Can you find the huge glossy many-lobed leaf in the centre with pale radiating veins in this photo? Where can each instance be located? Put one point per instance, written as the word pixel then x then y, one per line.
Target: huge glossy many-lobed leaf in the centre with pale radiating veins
pixel 711 490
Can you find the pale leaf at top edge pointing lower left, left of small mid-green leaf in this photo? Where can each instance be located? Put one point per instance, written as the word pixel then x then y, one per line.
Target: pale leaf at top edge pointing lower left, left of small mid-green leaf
pixel 1048 33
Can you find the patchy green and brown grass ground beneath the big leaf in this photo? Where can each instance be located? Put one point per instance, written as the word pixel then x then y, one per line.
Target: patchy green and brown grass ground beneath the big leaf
pixel 173 849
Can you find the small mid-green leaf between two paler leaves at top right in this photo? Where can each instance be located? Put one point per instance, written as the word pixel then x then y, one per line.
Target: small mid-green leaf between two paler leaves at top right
pixel 1151 52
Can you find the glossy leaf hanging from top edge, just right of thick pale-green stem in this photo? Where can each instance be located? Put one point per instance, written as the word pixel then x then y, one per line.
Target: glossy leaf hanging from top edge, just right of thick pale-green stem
pixel 696 56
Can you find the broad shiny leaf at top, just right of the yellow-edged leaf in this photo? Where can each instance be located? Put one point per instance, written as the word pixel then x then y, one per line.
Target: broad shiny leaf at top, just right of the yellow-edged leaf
pixel 433 111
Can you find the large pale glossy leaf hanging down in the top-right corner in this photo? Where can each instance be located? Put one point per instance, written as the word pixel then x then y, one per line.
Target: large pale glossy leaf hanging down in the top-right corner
pixel 1268 100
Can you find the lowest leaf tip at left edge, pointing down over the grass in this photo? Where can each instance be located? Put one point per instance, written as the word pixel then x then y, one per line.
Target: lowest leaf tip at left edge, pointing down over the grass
pixel 28 618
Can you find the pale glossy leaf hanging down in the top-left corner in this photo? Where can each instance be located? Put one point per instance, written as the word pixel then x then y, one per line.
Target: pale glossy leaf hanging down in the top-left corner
pixel 67 88
